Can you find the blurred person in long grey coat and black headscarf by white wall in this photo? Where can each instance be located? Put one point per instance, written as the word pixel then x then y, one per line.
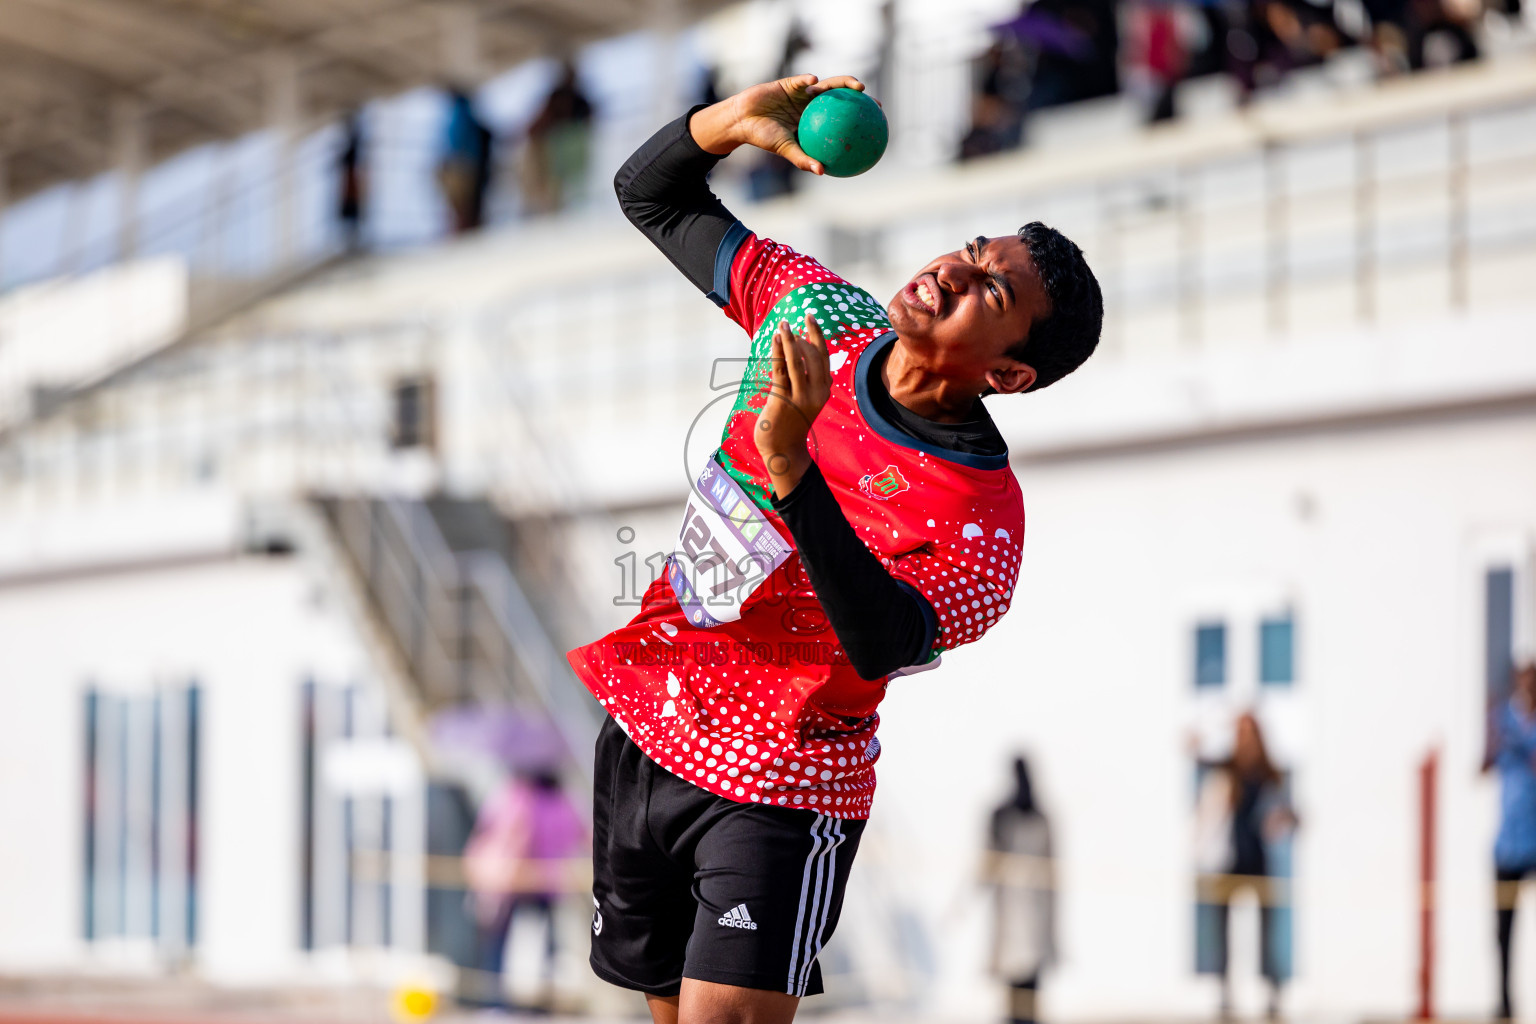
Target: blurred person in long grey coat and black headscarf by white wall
pixel 1019 870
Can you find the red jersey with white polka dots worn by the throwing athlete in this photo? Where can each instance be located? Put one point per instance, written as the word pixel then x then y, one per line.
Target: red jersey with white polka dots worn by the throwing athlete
pixel 767 709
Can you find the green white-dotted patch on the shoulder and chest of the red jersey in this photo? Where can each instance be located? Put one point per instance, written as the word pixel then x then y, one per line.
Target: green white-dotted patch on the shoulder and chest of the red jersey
pixel 839 308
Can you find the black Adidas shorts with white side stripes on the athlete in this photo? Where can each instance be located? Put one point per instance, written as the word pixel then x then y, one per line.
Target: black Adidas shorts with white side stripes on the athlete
pixel 689 885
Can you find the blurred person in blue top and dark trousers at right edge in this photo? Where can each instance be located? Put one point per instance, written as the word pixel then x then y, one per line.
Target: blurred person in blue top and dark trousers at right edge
pixel 1512 751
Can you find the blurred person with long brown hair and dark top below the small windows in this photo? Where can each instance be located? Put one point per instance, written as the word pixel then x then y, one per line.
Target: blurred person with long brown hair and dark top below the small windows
pixel 1242 814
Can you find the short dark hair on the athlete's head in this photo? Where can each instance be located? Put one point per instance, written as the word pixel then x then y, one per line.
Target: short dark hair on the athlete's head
pixel 1065 339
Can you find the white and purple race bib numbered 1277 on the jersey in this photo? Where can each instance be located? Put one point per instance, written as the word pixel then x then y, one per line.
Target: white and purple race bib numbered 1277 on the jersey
pixel 724 552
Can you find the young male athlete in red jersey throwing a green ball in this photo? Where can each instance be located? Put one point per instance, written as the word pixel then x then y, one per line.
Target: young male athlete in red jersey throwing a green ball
pixel 858 520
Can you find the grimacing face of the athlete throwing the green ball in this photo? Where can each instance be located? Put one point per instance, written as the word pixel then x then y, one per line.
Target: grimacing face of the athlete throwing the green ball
pixel 968 308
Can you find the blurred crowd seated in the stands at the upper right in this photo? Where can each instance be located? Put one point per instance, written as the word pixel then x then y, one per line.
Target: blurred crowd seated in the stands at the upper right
pixel 1064 51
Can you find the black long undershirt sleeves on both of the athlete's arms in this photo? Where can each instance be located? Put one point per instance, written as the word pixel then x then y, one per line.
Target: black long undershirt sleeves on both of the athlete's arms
pixel 881 623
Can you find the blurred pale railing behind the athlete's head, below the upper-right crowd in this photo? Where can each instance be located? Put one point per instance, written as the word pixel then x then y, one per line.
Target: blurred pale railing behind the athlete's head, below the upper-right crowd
pixel 1400 194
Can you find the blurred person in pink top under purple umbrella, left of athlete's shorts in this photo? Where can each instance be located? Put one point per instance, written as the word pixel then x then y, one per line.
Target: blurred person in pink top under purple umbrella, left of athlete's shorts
pixel 518 860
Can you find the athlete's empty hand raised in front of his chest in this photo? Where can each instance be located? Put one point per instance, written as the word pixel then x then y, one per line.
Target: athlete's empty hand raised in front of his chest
pixel 803 382
